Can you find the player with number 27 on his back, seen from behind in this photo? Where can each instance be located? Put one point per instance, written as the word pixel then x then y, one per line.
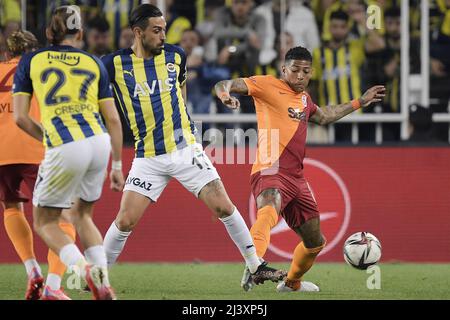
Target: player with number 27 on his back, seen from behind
pixel 72 89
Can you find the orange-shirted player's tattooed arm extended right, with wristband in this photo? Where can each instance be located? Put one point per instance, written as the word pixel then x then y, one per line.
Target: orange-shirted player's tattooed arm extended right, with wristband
pixel 330 114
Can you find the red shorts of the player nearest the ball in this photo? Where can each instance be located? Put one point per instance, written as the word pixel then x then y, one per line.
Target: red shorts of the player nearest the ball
pixel 297 202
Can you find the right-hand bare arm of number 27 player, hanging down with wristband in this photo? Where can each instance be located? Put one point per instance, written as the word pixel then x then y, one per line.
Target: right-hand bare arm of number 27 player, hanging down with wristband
pixel 114 126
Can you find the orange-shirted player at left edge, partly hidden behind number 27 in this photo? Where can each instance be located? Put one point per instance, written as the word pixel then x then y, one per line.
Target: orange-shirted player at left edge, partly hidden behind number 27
pixel 20 156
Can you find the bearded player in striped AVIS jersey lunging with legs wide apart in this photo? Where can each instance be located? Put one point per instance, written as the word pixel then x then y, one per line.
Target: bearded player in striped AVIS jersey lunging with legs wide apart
pixel 149 85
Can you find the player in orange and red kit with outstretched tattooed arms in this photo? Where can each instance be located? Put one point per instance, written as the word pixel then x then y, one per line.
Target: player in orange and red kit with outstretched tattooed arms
pixel 283 109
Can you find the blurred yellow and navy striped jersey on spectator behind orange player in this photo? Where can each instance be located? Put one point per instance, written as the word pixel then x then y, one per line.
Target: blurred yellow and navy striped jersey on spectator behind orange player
pixel 338 72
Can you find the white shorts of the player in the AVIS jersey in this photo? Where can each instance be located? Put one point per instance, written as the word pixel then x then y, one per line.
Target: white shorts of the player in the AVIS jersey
pixel 190 166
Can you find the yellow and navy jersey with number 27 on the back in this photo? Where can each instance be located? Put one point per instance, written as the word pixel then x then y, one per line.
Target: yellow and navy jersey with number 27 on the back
pixel 68 84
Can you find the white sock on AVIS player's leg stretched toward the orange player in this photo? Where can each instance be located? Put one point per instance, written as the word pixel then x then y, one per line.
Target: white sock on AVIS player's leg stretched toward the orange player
pixel 238 231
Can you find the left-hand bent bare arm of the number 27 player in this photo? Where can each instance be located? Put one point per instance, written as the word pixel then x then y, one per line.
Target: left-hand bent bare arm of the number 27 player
pixel 21 105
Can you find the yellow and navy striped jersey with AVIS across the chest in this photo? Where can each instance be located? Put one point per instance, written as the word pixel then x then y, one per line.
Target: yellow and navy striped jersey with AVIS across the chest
pixel 149 94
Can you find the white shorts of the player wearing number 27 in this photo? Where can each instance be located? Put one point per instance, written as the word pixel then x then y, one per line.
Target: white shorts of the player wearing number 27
pixel 73 170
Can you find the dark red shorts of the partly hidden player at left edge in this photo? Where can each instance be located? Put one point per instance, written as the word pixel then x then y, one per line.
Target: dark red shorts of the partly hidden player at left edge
pixel 11 176
